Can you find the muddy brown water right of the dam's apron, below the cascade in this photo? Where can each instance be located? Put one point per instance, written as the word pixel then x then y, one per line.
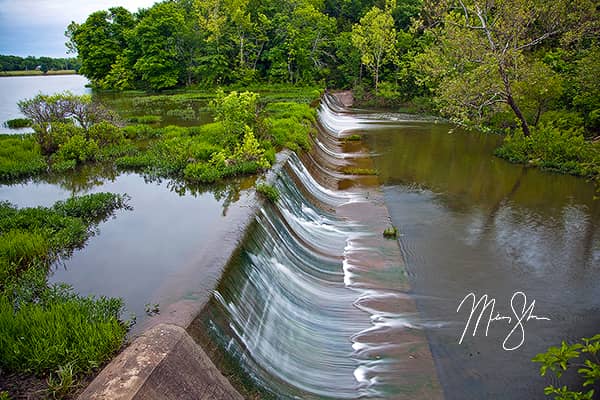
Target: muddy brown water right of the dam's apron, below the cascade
pixel 471 222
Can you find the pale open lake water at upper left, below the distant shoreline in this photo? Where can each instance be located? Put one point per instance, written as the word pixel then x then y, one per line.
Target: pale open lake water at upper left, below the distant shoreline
pixel 16 88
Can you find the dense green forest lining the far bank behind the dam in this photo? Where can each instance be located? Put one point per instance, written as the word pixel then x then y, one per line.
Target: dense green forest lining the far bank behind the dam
pixel 476 61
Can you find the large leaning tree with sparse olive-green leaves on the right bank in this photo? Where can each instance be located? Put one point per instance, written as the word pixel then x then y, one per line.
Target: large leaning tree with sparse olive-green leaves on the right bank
pixel 482 50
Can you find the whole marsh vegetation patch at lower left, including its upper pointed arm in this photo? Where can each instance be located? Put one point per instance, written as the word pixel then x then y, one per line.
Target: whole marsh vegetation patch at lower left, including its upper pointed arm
pixel 48 330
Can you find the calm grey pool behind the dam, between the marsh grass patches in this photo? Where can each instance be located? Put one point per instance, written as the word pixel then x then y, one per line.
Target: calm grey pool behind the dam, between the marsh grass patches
pixel 155 253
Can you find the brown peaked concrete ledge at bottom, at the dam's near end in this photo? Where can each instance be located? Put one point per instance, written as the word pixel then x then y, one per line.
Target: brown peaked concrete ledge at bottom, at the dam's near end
pixel 164 363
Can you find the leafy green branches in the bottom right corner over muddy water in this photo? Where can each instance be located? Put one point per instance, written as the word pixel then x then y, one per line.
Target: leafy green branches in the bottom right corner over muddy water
pixel 582 356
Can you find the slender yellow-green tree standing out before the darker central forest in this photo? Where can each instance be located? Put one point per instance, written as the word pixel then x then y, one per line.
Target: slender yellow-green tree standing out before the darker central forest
pixel 375 37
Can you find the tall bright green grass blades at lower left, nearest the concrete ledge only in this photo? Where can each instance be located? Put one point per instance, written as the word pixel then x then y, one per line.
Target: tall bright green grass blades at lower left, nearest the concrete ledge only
pixel 40 337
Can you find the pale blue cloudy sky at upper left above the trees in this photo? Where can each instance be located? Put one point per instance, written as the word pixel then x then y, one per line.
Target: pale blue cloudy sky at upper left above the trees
pixel 36 27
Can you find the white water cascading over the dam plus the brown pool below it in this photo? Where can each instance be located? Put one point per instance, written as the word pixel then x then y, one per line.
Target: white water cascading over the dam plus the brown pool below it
pixel 308 309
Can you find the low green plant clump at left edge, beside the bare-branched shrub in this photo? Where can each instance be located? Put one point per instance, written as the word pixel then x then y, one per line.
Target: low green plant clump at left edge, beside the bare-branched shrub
pixel 20 157
